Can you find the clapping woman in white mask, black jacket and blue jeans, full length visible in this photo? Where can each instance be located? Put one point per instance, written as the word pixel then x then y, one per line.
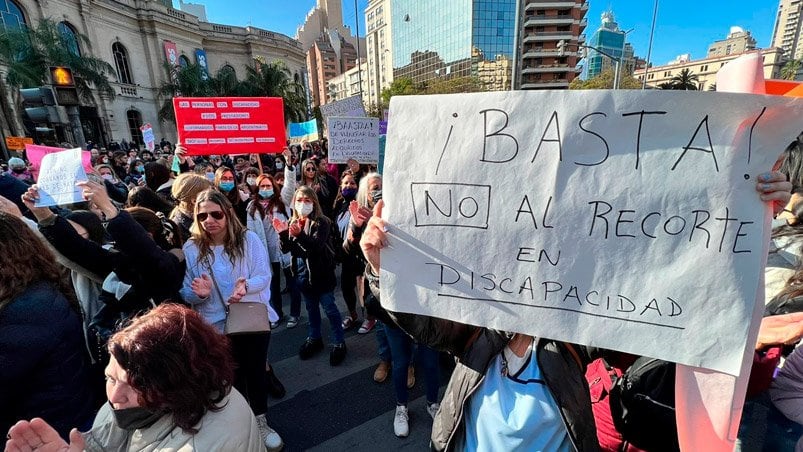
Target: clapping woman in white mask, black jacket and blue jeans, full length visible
pixel 307 238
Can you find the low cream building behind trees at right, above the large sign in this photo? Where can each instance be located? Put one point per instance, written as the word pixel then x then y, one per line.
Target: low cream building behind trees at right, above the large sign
pixel 707 68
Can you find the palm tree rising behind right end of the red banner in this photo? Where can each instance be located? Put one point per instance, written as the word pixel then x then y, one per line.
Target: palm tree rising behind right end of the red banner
pixel 274 80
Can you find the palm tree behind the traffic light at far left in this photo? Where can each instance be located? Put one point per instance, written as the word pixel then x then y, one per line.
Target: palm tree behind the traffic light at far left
pixel 28 54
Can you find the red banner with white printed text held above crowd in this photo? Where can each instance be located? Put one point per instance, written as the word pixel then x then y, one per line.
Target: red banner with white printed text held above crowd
pixel 230 125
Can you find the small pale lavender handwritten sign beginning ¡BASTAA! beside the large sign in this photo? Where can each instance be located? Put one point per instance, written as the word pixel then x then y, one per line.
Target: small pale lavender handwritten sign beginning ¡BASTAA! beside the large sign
pixel 353 138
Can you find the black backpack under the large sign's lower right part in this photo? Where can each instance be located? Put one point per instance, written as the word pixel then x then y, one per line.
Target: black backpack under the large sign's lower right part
pixel 643 405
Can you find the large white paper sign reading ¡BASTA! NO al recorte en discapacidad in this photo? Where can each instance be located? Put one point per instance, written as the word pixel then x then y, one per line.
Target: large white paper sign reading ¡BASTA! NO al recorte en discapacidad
pixel 625 220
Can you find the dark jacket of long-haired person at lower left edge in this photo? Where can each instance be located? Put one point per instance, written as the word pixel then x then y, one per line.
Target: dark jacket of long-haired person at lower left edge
pixel 43 362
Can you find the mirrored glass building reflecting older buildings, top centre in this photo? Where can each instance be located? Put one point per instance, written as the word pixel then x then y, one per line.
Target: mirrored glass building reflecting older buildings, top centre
pixel 434 40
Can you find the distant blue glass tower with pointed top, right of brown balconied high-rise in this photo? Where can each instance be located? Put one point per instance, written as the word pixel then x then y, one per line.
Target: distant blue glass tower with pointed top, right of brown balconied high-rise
pixel 612 41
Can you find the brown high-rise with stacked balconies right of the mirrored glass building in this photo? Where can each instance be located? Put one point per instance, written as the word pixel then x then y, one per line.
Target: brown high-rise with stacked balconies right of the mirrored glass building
pixel 545 24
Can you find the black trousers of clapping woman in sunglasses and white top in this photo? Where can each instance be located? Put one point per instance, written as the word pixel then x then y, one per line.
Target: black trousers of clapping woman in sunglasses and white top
pixel 250 353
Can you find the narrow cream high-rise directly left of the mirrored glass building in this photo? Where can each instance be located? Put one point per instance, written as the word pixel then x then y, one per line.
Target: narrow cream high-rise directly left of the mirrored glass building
pixel 379 49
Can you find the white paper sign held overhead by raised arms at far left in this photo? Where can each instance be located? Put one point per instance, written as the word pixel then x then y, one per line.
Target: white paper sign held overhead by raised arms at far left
pixel 57 177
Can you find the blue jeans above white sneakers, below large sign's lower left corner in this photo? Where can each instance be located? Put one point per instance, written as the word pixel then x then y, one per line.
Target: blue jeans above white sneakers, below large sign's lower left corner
pixel 400 347
